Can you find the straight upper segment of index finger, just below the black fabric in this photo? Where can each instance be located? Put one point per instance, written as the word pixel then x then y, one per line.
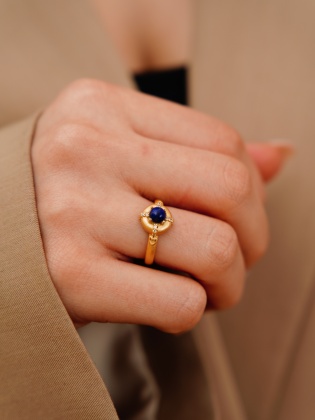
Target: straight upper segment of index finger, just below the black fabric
pixel 166 121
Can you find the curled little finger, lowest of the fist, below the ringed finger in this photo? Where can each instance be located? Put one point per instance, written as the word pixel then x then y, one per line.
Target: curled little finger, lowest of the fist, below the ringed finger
pixel 123 292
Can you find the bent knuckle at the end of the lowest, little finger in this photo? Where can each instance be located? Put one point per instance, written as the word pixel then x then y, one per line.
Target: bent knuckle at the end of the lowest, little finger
pixel 188 310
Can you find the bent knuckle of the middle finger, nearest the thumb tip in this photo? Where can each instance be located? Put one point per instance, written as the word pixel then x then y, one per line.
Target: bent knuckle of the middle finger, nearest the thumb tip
pixel 238 182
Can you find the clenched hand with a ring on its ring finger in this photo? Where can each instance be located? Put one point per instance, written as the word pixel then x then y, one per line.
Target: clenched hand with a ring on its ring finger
pixel 101 154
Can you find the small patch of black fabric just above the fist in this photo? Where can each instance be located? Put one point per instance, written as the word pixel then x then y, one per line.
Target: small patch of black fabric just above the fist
pixel 168 84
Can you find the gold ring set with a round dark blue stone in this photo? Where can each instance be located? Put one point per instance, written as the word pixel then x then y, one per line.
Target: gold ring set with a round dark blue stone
pixel 155 220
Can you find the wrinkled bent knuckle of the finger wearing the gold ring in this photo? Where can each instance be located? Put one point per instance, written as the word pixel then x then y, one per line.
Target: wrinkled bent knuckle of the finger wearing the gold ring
pixel 222 247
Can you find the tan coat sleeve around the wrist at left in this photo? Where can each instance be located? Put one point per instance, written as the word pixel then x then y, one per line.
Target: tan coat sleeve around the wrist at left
pixel 45 371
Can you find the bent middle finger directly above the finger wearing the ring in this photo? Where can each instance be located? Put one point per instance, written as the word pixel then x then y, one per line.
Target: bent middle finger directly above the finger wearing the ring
pixel 204 182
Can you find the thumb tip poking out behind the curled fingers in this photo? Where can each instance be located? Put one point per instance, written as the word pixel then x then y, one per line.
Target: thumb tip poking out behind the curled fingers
pixel 270 157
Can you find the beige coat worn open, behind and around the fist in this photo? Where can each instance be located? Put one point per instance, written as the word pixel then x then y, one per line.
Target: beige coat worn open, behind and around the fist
pixel 254 67
